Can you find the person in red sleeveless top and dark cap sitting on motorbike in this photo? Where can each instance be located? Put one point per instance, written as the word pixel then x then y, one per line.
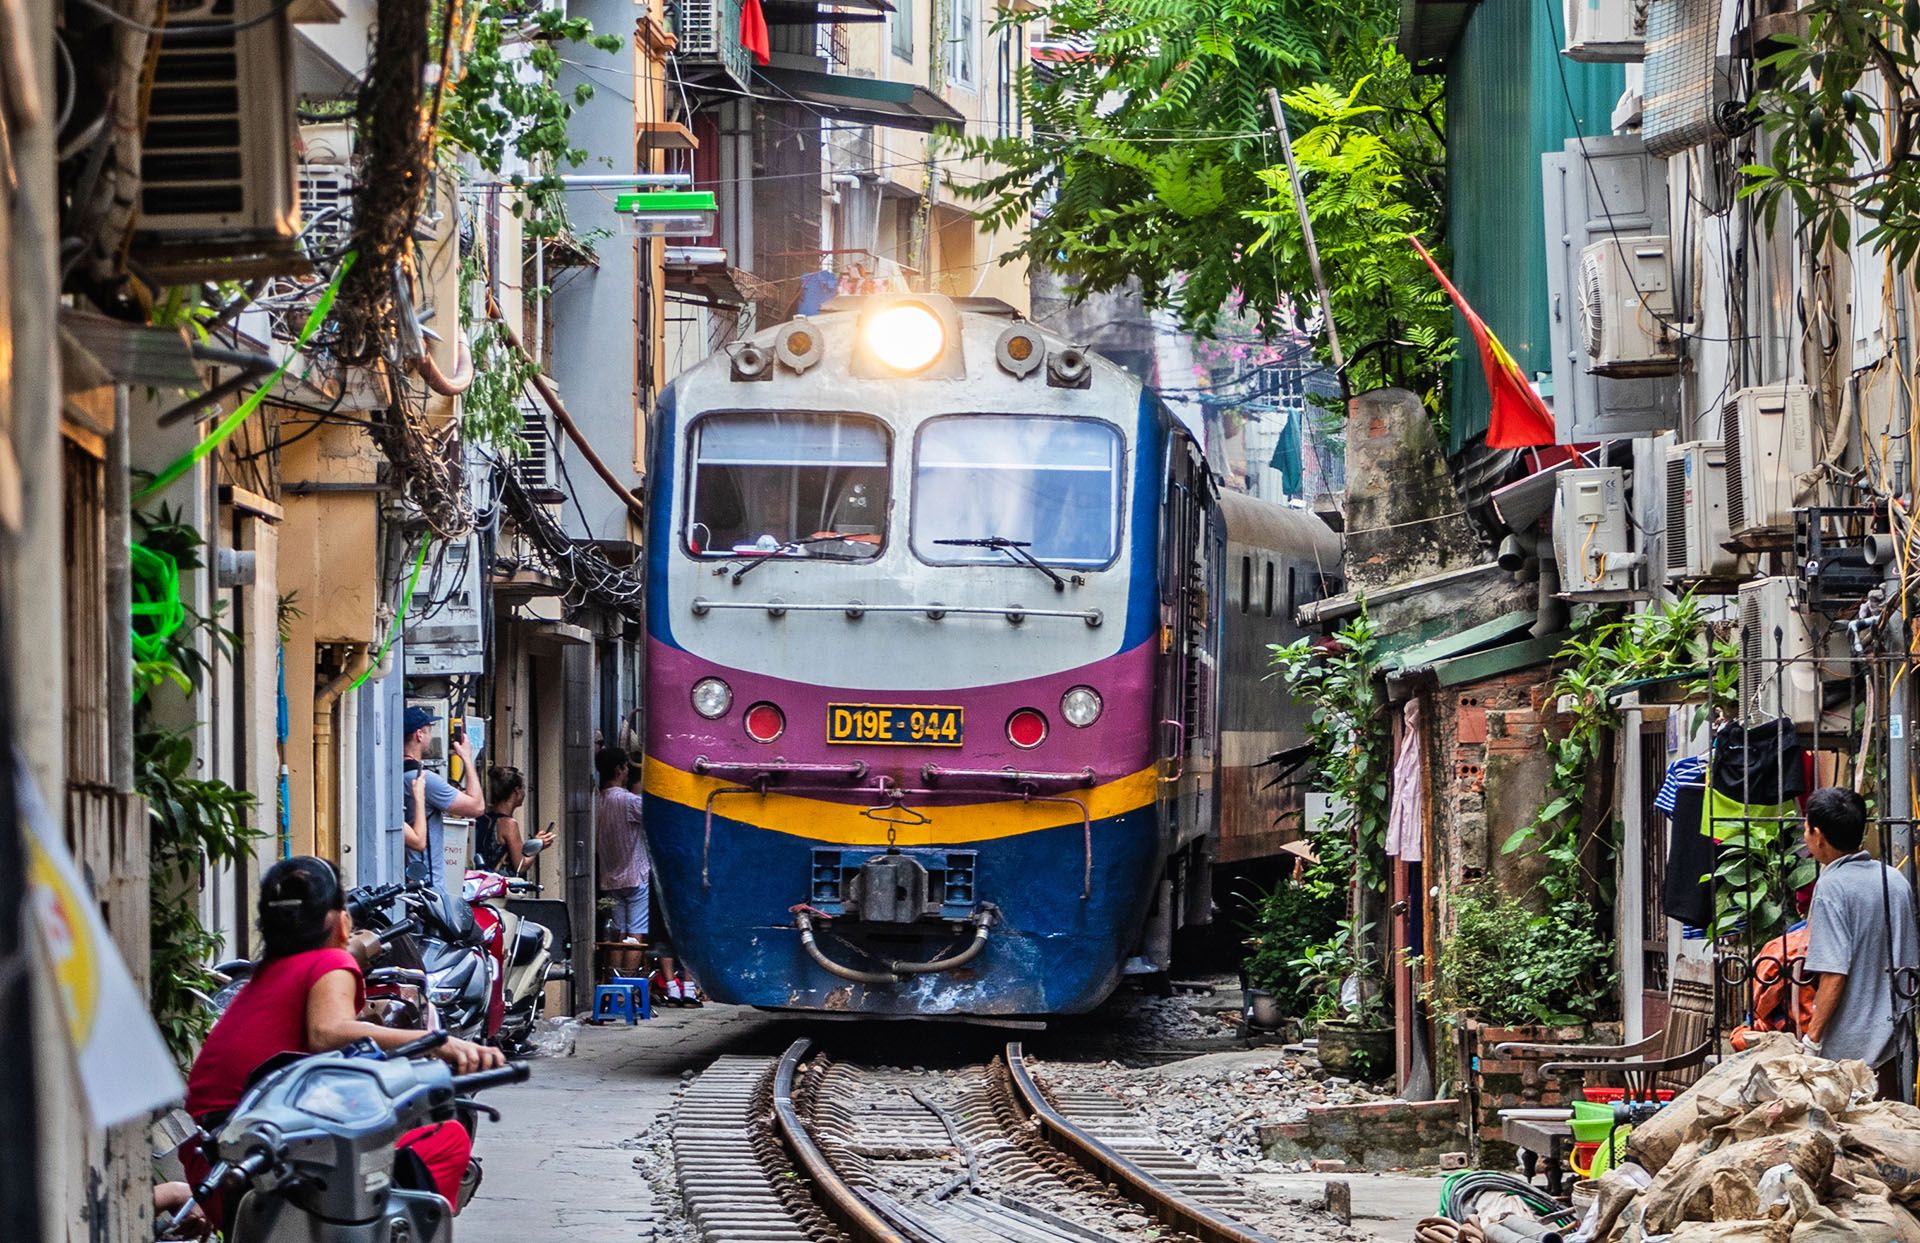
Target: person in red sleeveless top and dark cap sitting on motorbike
pixel 306 998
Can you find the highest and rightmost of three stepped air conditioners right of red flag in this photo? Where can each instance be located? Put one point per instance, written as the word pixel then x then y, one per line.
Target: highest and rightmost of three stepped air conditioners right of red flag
pixel 1769 451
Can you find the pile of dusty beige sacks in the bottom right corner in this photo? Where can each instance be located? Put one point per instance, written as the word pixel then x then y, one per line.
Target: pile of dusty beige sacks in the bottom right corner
pixel 1767 1148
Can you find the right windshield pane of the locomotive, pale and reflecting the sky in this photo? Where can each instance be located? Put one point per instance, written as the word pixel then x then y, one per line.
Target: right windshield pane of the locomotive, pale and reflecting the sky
pixel 1051 485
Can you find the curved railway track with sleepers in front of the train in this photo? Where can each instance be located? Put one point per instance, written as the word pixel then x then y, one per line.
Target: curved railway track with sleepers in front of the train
pixel 805 1148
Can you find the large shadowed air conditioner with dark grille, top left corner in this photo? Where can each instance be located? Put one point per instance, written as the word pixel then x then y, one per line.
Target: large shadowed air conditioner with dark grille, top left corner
pixel 218 151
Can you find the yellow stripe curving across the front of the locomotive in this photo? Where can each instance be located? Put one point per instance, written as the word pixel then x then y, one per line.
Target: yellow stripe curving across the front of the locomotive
pixel 844 825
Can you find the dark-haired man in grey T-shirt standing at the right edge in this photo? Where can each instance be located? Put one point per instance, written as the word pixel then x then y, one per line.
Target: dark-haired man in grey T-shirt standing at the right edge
pixel 1860 935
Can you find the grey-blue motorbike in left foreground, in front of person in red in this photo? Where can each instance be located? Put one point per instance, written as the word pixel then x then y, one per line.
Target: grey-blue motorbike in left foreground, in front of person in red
pixel 310 1150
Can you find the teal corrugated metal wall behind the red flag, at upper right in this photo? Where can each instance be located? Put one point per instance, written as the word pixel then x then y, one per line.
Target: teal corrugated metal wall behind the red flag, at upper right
pixel 1506 109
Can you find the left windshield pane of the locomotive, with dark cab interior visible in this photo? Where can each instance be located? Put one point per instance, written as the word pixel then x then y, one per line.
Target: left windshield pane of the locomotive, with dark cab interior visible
pixel 805 483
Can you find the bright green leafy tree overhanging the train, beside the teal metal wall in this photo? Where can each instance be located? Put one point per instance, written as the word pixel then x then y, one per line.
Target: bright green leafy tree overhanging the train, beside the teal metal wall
pixel 1153 158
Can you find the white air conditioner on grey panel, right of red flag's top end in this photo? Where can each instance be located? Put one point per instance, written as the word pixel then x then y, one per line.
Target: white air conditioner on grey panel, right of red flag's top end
pixel 1627 306
